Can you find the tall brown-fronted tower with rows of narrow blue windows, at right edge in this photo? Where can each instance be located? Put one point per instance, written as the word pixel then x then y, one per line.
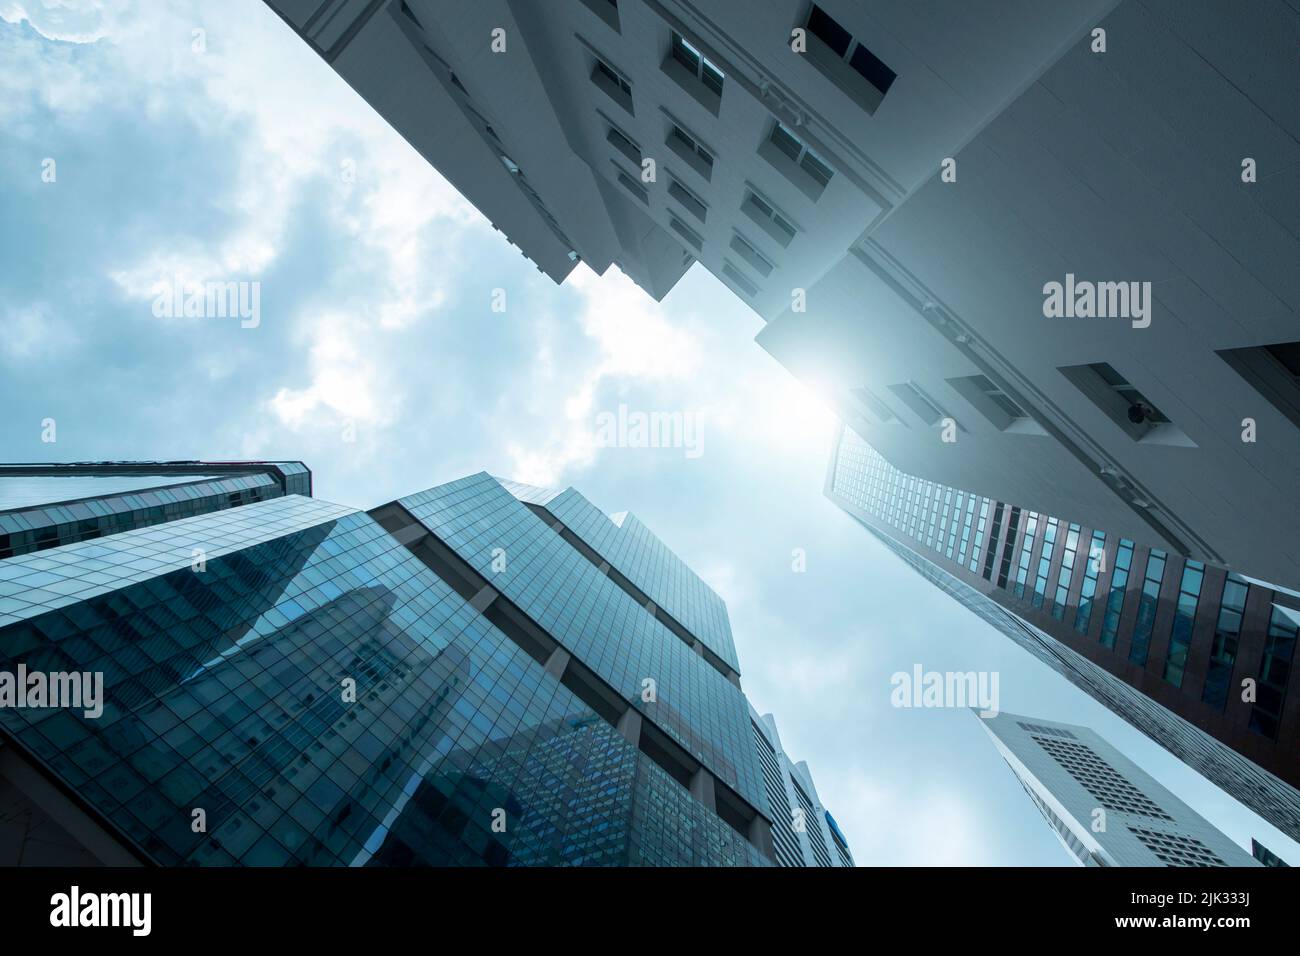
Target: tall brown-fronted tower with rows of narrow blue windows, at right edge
pixel 1195 657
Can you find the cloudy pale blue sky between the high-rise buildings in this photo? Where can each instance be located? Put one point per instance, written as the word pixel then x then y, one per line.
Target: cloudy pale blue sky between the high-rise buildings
pixel 236 154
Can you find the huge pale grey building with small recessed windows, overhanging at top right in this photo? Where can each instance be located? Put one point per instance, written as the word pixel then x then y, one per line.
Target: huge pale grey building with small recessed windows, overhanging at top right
pixel 895 188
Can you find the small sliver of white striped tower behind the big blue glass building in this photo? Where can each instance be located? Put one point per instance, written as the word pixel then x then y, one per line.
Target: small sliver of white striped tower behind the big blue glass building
pixel 804 832
